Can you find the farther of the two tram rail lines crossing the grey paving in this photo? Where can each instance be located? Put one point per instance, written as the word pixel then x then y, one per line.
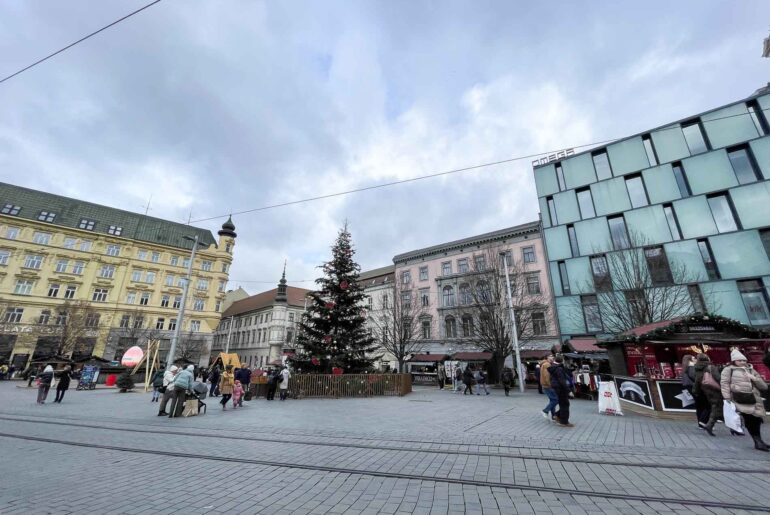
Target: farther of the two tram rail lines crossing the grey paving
pixel 380 447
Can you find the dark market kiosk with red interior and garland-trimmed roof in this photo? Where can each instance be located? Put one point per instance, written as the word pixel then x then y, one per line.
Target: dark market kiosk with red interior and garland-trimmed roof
pixel 646 361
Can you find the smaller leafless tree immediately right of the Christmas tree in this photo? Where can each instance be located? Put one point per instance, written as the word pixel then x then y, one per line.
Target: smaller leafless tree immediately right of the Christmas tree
pixel 400 322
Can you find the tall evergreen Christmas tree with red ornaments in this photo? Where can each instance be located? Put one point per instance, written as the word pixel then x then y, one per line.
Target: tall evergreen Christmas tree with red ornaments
pixel 332 330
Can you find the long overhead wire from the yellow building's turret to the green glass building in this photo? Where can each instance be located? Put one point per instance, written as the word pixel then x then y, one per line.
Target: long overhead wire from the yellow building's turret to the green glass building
pixel 439 174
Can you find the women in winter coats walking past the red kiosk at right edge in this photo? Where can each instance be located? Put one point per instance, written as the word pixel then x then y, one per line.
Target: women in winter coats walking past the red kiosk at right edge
pixel 737 383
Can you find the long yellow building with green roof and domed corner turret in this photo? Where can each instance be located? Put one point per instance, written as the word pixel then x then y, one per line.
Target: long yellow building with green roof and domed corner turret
pixel 79 279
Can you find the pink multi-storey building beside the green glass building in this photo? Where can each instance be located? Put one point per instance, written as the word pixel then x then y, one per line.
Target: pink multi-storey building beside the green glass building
pixel 440 276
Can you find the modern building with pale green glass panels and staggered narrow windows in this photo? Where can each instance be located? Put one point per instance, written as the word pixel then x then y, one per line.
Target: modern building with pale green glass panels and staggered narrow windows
pixel 676 220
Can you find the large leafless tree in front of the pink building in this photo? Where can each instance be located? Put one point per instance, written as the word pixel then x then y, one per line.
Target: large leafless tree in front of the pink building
pixel 481 314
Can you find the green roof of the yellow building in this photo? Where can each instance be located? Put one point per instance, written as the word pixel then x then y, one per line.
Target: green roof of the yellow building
pixel 69 213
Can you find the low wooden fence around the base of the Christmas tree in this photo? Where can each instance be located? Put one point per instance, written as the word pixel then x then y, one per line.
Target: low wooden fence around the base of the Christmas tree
pixel 349 385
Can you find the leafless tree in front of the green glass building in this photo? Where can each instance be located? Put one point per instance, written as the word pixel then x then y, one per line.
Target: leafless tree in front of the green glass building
pixel 638 286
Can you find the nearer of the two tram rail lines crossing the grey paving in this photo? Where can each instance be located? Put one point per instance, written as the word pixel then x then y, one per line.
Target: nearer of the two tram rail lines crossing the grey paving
pixel 395 475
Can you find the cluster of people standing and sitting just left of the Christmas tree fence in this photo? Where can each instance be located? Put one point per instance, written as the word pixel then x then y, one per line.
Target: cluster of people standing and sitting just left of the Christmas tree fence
pixel 231 384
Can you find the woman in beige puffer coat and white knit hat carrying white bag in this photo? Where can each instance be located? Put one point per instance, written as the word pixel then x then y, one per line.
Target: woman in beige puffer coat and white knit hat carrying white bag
pixel 741 385
